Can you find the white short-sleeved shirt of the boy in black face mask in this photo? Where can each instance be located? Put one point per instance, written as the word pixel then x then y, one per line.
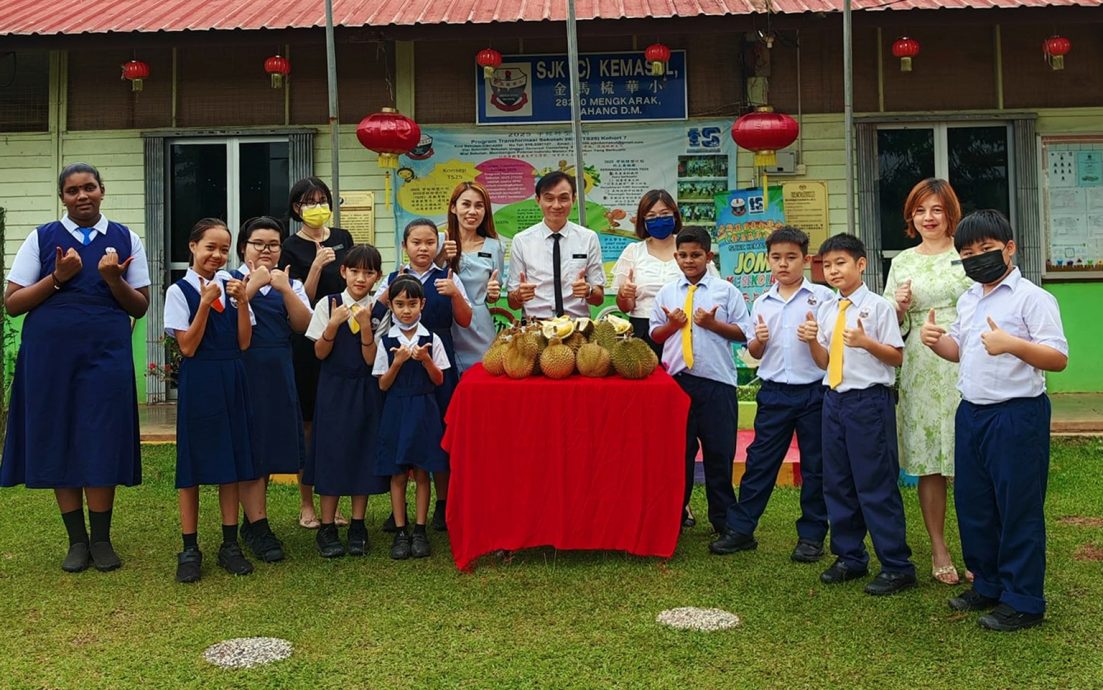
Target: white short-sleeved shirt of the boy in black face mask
pixel 1025 311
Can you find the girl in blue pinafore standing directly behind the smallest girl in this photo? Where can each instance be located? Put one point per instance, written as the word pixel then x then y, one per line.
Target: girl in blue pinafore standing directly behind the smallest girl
pixel 446 305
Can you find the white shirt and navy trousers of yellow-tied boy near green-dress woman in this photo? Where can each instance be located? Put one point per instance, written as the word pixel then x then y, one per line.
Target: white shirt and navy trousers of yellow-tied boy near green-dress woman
pixel 861 459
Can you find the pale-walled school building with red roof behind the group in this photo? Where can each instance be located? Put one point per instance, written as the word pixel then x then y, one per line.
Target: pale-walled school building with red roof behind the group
pixel 984 105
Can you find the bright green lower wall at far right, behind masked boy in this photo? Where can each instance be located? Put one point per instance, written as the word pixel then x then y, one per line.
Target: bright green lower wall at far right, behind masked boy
pixel 1084 328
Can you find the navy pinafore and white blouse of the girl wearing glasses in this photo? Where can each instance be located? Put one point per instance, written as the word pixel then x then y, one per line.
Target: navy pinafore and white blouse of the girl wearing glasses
pixel 277 438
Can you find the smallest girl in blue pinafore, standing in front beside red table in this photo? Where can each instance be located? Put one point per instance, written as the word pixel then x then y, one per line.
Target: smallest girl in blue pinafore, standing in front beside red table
pixel 411 363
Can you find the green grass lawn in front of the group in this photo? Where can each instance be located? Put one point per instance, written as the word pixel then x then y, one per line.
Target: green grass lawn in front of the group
pixel 545 620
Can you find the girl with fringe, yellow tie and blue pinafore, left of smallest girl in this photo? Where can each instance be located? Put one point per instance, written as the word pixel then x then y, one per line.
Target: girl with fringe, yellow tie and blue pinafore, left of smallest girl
pixel 347 408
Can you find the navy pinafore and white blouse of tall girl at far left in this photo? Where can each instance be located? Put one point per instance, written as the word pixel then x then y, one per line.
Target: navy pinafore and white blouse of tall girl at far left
pixel 73 418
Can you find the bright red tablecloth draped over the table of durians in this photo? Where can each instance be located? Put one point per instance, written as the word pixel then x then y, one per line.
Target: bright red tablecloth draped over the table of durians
pixel 580 463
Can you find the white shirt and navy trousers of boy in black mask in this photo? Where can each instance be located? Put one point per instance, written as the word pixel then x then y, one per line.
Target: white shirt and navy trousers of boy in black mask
pixel 1002 448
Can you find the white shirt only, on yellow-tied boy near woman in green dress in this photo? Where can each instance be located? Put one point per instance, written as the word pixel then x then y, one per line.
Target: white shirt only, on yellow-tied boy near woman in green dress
pixel 861 369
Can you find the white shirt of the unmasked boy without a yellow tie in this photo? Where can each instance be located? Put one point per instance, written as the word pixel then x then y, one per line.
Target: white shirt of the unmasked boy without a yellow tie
pixel 787 359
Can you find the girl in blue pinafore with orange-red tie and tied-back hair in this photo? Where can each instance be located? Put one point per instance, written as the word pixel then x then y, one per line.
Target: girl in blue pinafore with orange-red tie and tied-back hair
pixel 208 312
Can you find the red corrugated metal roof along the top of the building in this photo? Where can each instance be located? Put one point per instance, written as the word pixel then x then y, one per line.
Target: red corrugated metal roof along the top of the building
pixel 77 17
